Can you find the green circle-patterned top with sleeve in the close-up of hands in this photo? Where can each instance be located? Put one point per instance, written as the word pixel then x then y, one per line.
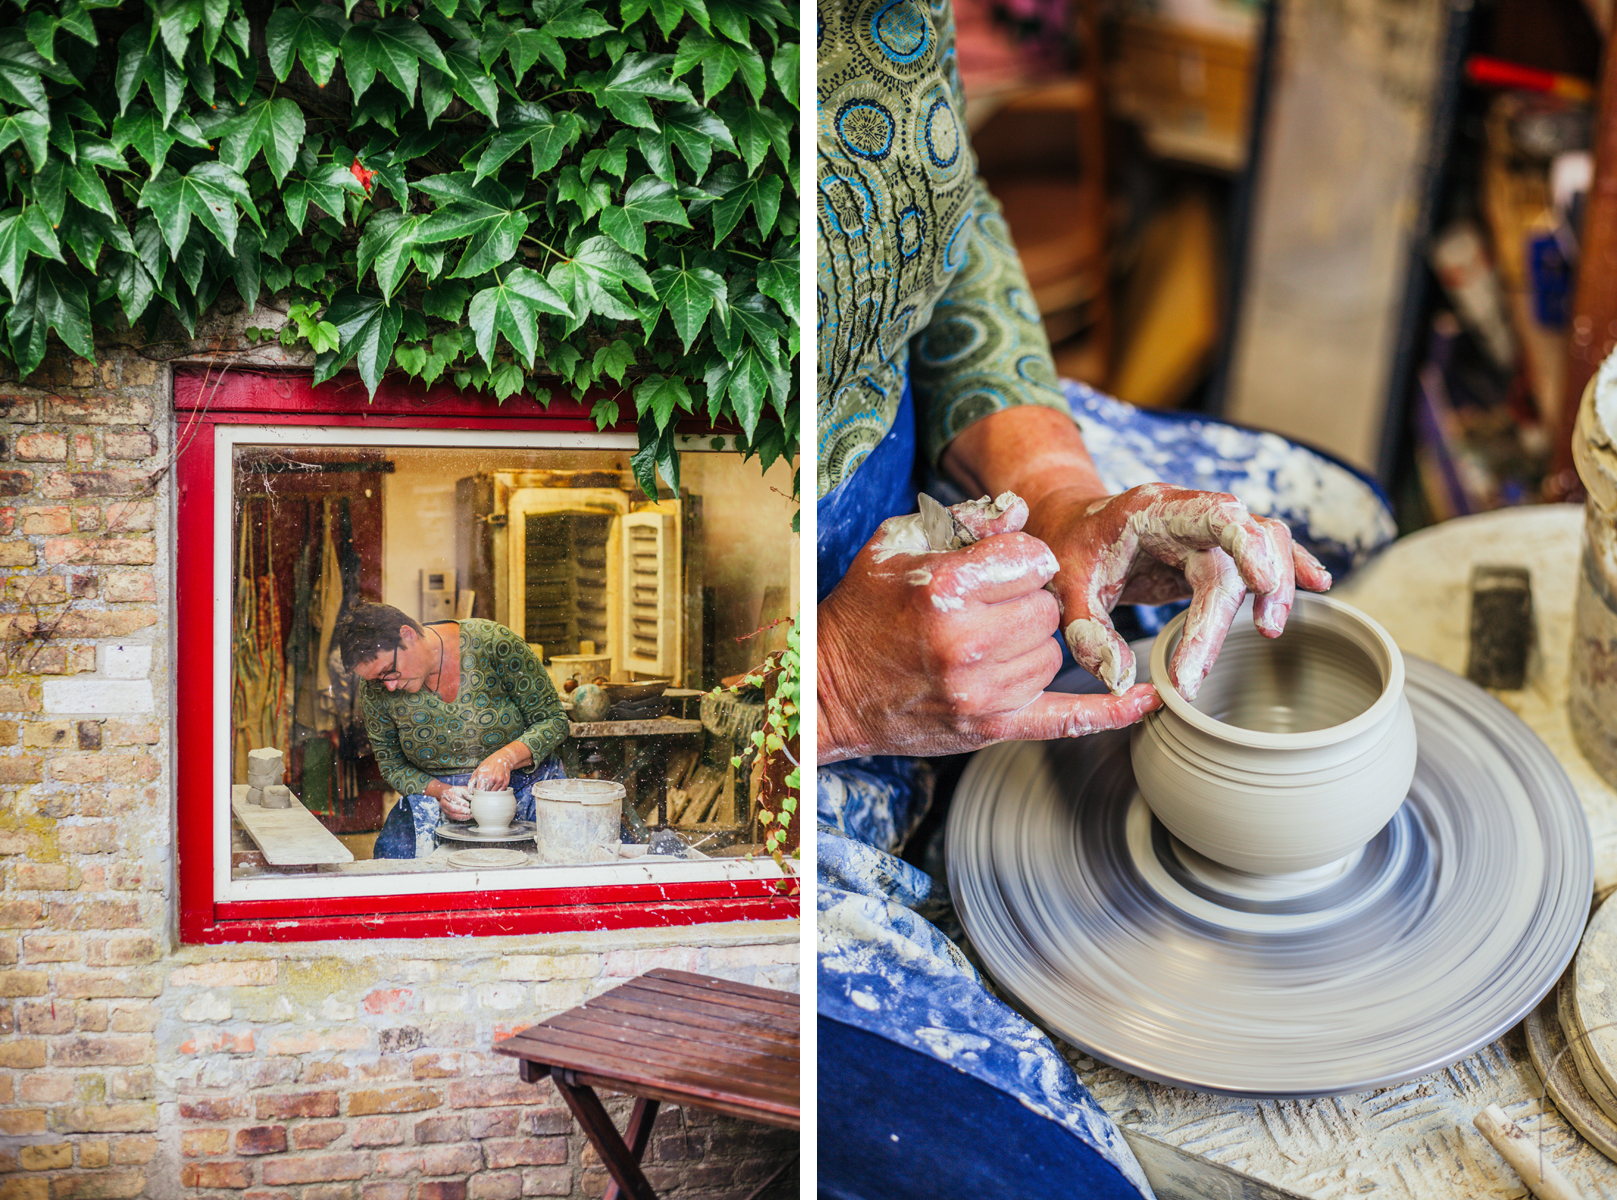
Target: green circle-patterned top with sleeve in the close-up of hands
pixel 918 271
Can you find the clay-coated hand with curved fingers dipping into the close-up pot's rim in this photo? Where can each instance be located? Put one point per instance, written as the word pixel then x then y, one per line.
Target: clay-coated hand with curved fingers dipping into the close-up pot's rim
pixel 1154 544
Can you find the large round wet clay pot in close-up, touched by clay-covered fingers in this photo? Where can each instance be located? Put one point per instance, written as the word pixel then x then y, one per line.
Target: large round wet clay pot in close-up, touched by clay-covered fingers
pixel 1298 750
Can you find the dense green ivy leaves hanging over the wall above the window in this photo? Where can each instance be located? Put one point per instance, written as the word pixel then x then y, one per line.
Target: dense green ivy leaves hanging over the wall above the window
pixel 515 196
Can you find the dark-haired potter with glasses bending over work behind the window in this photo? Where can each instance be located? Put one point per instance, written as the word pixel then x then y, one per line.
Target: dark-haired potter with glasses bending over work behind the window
pixel 452 709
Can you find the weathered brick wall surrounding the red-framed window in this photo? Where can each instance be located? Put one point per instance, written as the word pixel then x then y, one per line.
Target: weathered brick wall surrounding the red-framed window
pixel 321 1071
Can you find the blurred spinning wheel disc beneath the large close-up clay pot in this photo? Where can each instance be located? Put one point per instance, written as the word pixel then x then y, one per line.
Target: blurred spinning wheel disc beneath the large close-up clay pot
pixel 1401 960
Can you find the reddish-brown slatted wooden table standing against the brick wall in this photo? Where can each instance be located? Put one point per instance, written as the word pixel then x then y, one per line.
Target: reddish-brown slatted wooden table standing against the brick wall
pixel 667 1036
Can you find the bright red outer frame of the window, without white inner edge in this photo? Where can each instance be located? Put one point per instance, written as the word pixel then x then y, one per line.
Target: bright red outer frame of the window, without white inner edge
pixel 208 400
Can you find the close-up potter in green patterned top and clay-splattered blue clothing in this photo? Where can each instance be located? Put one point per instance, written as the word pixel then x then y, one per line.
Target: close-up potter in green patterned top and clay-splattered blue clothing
pixel 939 632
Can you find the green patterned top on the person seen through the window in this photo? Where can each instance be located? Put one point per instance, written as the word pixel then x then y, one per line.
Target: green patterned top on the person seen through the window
pixel 505 696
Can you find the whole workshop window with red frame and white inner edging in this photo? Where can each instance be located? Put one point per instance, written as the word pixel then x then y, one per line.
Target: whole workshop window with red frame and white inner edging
pixel 298 504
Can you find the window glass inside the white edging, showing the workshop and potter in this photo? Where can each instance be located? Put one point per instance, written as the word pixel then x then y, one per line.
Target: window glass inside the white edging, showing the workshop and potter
pixel 544 615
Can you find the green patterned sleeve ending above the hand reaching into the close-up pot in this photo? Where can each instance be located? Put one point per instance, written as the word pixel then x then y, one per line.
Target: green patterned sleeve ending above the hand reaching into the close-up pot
pixel 986 349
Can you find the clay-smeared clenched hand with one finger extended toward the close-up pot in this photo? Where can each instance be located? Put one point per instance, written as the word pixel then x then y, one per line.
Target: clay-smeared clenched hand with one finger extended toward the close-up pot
pixel 935 653
